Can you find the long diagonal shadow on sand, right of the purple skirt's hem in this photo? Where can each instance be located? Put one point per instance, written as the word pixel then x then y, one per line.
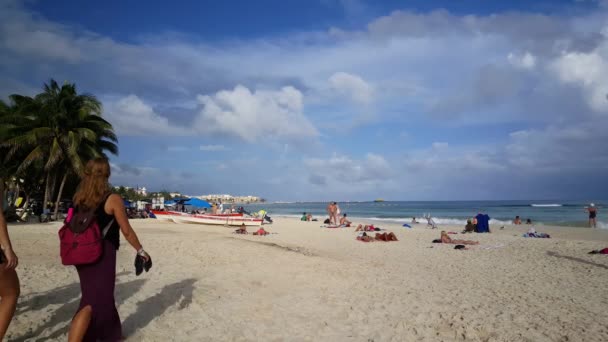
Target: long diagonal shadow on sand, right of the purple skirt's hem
pixel 155 306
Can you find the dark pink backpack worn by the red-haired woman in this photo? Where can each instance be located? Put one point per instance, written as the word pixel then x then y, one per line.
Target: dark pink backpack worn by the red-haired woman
pixel 81 239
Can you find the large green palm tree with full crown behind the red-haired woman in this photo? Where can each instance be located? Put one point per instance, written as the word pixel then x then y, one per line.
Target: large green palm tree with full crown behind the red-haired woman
pixel 62 129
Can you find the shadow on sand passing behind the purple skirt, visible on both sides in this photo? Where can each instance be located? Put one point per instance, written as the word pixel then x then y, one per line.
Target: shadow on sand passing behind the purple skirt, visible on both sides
pixel 70 297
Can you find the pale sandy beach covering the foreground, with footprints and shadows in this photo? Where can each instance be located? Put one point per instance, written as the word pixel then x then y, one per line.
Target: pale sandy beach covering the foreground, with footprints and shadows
pixel 311 284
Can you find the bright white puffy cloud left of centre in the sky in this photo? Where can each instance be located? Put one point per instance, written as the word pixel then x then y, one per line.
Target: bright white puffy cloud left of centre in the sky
pixel 252 116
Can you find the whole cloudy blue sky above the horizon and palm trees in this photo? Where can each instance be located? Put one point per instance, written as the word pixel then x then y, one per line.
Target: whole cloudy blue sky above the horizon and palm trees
pixel 334 99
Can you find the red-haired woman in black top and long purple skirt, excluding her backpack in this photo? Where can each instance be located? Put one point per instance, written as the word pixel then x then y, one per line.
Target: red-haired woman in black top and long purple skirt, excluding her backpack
pixel 97 317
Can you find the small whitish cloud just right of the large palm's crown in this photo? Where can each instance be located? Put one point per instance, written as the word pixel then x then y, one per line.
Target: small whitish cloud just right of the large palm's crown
pixel 131 116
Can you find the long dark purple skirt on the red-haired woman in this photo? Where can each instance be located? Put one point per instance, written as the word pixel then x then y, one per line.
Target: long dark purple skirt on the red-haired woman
pixel 97 286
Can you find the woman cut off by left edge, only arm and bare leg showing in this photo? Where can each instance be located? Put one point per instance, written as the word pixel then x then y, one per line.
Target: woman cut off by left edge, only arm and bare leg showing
pixel 9 282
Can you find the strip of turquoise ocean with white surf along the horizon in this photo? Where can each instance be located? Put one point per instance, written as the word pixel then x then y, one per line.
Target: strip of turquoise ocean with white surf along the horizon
pixel 562 213
